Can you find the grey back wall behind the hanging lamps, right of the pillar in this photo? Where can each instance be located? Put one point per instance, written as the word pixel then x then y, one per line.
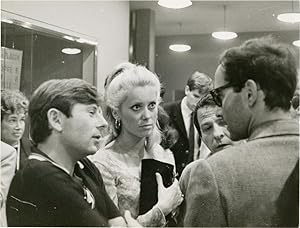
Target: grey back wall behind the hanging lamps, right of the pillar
pixel 175 68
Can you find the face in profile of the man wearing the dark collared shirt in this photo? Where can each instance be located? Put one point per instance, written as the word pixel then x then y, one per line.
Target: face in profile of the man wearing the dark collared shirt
pixel 82 131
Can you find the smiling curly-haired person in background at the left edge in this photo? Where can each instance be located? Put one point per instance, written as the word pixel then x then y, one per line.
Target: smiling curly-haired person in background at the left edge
pixel 14 107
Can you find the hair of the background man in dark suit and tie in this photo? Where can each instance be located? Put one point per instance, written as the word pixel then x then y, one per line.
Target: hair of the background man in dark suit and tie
pixel 200 81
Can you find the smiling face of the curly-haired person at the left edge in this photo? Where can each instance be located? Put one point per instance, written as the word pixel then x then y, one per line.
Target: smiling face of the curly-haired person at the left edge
pixel 12 127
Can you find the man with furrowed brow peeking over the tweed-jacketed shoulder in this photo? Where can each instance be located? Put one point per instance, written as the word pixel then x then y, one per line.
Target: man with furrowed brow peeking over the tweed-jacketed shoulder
pixel 212 127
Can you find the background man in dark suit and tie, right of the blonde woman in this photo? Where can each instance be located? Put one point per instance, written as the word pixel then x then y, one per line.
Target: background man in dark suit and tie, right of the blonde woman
pixel 180 112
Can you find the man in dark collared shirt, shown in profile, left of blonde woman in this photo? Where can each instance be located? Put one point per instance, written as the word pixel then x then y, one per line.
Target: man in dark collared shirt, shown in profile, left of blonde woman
pixel 59 186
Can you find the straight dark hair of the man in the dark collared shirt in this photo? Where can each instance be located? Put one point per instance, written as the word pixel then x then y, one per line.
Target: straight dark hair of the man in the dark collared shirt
pixel 61 94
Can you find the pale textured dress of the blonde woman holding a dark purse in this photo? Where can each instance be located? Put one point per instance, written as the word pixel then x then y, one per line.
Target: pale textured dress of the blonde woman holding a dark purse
pixel 122 182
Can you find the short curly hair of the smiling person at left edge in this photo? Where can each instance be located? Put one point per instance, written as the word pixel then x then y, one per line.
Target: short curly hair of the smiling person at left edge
pixel 13 101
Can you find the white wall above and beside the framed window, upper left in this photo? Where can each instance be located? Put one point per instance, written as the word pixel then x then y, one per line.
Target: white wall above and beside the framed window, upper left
pixel 107 21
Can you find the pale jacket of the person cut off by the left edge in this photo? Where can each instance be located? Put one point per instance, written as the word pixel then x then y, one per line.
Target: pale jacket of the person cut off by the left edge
pixel 7 171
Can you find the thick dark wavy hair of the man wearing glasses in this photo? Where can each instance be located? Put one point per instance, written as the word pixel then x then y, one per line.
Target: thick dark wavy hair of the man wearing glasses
pixel 267 62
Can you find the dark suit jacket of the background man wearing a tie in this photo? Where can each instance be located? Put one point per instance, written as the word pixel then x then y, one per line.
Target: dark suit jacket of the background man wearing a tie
pixel 181 148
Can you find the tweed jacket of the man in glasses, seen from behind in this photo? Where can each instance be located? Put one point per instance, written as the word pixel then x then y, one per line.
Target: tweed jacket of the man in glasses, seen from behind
pixel 244 185
